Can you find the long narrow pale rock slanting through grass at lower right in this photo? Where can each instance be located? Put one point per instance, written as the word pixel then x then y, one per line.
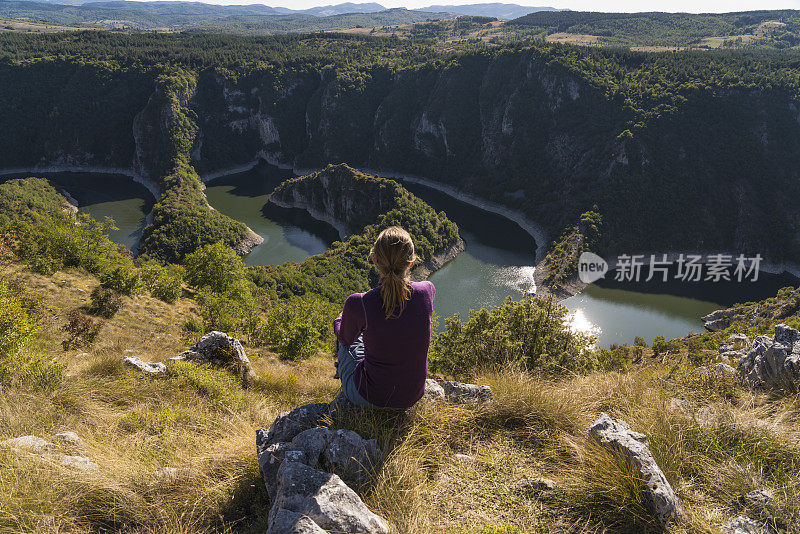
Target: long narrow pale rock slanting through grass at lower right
pixel 617 436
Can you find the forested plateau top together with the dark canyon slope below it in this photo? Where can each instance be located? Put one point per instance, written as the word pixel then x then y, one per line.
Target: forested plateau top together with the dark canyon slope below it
pixel 677 151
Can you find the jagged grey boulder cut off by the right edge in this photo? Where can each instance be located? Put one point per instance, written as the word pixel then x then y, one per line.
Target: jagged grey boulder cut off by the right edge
pixel 773 363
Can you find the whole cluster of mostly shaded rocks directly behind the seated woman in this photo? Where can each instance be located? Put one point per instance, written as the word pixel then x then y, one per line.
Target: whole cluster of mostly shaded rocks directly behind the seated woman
pixel 305 499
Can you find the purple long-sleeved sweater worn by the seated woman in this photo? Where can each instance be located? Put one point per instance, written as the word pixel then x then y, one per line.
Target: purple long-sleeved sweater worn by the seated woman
pixel 393 371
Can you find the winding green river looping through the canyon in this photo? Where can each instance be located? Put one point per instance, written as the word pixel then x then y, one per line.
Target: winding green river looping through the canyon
pixel 497 263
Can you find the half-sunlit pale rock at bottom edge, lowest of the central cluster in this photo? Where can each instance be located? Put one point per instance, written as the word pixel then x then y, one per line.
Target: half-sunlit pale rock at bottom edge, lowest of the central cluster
pixel 324 499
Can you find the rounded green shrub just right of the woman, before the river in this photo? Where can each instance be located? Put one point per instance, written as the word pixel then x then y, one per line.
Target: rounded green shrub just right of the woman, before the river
pixel 530 333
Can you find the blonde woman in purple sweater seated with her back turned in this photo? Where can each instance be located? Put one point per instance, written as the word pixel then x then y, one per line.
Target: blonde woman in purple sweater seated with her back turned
pixel 384 333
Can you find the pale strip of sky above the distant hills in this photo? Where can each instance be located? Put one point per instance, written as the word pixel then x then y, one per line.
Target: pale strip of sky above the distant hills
pixel 690 6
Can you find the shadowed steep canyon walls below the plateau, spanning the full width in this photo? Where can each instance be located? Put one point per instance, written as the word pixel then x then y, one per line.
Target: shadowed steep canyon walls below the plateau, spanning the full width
pixel 707 167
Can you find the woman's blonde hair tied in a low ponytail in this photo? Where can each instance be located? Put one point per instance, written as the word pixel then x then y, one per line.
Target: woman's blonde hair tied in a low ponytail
pixel 393 254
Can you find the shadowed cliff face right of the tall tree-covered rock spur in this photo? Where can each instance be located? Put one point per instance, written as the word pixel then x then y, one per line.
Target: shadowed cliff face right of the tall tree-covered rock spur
pixel 715 172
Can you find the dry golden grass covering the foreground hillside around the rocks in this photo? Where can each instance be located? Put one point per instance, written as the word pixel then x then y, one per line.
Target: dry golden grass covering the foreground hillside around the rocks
pixel 202 423
